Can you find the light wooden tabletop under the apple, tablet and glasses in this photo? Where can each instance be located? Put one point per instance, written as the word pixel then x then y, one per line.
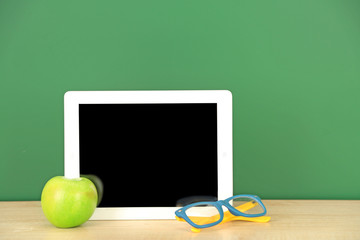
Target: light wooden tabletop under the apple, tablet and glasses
pixel 291 219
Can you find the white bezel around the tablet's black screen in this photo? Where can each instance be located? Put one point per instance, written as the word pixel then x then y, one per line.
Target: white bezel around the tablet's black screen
pixel 222 98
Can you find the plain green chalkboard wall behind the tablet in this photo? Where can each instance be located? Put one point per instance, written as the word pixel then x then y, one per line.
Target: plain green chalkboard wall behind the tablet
pixel 293 68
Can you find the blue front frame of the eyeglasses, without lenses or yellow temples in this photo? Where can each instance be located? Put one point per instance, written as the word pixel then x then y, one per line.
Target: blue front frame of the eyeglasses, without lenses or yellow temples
pixel 181 213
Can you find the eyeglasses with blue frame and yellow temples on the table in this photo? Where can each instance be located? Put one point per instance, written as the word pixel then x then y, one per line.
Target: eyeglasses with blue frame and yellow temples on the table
pixel 207 214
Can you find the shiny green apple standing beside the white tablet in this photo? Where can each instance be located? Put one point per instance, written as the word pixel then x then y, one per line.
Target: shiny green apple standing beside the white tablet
pixel 68 202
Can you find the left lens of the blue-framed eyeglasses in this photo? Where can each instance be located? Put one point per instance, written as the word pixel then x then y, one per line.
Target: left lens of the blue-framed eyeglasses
pixel 203 214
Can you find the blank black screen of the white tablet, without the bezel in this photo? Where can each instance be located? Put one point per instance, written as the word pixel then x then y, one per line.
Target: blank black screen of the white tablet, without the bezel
pixel 150 155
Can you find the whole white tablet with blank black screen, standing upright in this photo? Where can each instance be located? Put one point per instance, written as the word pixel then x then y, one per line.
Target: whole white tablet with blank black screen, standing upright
pixel 154 151
